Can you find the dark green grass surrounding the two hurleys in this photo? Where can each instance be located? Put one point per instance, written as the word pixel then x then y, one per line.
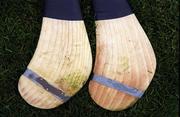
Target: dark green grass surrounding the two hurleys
pixel 20 23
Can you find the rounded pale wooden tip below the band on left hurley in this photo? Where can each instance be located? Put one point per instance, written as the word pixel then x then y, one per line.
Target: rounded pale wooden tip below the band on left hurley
pixel 36 96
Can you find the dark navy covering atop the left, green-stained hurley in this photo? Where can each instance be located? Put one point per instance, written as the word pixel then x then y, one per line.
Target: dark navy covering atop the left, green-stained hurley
pixel 62 9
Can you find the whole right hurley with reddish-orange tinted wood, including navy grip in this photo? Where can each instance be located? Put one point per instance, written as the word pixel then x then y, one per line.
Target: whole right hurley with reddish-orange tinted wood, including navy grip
pixel 125 60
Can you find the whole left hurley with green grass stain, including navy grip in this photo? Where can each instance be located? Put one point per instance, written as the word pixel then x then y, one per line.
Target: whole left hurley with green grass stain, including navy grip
pixel 62 61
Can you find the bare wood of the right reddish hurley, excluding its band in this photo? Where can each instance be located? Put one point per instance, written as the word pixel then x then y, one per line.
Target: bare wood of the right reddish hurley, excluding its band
pixel 124 54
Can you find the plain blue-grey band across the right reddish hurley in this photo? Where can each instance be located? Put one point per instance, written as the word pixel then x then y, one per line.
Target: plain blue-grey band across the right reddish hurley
pixel 118 86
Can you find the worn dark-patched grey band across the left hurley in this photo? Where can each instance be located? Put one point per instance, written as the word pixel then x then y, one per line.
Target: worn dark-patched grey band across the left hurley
pixel 43 83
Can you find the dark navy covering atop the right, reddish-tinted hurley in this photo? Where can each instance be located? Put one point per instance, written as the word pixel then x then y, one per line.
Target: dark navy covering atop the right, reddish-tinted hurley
pixel 109 9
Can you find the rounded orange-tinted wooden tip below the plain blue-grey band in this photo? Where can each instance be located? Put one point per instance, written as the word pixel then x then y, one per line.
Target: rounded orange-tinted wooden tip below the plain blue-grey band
pixel 108 100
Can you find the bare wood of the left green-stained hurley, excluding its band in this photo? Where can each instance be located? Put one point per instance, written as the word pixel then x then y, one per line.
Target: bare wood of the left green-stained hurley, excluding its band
pixel 63 58
